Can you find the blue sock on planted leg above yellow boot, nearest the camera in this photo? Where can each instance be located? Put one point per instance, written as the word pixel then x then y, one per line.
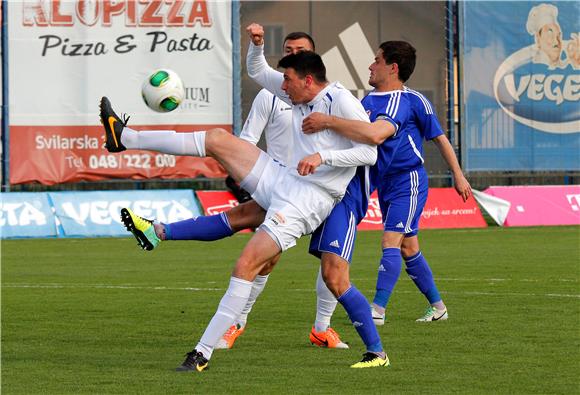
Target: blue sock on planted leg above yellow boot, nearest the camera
pixel 359 312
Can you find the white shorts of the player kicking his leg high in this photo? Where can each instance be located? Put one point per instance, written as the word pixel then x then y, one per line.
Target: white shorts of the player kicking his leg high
pixel 294 207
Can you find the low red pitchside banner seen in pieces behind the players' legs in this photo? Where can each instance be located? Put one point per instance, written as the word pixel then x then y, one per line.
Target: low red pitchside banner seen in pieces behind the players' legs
pixel 444 209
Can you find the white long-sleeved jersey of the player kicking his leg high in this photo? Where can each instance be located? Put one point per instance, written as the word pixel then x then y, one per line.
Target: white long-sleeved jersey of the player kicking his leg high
pixel 340 155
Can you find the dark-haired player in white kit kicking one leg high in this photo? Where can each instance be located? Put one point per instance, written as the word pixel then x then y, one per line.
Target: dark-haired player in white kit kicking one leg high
pixel 297 198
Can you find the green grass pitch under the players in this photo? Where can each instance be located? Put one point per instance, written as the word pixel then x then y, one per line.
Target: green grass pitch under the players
pixel 101 316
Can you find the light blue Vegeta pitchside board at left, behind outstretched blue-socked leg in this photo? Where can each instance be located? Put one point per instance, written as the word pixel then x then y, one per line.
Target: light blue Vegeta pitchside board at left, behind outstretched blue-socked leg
pixel 88 214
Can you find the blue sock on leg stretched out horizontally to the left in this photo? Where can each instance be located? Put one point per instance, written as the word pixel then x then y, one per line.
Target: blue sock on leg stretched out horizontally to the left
pixel 203 228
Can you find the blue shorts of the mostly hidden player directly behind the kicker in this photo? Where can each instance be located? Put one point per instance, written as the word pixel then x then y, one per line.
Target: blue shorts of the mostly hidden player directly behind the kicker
pixel 338 232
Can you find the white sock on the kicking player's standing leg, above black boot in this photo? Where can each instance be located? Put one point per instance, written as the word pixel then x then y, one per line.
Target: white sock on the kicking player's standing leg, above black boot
pixel 231 305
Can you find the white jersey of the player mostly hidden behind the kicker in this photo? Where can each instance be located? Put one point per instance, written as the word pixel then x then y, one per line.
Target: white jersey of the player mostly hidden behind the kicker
pixel 271 116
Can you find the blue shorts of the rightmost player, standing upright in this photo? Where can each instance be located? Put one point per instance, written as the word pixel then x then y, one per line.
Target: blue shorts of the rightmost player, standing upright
pixel 402 197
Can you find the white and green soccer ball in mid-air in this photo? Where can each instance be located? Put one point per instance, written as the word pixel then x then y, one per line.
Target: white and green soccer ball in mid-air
pixel 163 90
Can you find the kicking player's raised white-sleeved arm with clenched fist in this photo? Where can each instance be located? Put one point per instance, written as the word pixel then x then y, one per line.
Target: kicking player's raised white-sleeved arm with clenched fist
pixel 258 69
